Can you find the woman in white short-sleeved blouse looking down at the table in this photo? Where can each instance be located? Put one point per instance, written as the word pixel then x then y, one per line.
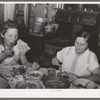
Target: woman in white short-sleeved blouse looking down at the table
pixel 79 63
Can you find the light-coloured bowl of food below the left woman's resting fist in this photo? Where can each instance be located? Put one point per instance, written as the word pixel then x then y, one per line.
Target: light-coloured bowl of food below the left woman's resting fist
pixel 36 75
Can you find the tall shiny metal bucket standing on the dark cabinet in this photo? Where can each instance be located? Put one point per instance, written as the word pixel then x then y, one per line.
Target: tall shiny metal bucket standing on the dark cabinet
pixel 38 25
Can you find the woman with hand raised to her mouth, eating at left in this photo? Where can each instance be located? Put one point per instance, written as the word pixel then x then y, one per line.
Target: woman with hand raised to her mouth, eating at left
pixel 12 50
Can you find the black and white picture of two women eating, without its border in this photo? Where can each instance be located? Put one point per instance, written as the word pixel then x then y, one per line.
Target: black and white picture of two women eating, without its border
pixel 49 45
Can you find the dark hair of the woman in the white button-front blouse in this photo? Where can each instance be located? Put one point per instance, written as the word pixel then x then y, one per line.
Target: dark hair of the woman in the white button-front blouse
pixel 84 34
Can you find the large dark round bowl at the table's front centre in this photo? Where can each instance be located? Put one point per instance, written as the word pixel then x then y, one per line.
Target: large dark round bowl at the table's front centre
pixel 55 82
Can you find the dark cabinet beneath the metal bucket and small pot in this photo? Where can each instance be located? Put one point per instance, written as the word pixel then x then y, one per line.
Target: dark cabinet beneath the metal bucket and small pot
pixel 36 41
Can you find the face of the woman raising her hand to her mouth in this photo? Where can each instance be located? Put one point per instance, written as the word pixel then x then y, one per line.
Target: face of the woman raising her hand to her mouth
pixel 11 36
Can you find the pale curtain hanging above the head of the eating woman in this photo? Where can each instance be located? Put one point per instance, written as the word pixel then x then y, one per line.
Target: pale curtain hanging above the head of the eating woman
pixel 9 11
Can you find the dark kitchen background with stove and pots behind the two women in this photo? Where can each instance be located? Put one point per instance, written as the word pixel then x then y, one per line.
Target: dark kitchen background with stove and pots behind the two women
pixel 49 27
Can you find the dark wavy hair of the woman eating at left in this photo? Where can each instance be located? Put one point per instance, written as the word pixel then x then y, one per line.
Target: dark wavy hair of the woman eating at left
pixel 5 26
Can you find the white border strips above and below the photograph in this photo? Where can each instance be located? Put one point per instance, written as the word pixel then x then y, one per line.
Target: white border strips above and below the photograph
pixel 50 93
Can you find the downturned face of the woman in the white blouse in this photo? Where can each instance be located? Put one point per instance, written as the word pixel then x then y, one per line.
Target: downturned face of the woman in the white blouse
pixel 80 45
